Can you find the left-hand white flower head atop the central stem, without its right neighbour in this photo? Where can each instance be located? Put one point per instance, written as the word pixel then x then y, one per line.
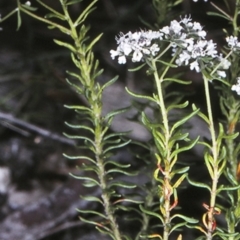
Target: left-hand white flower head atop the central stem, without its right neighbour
pixel 138 44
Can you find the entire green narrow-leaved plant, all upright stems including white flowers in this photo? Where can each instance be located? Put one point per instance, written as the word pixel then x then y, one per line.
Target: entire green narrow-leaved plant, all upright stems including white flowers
pixel 180 45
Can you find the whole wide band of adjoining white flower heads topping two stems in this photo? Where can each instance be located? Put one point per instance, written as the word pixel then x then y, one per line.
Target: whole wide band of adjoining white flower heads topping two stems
pixel 187 40
